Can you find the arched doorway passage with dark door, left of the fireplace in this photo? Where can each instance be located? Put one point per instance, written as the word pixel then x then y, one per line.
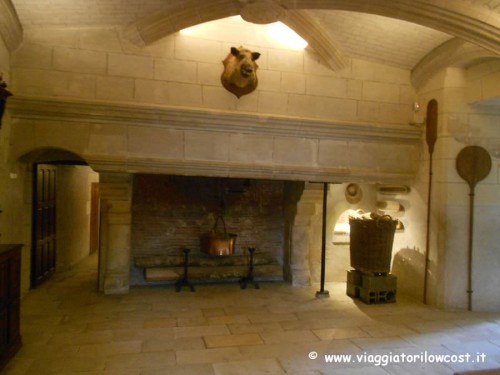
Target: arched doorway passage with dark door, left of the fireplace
pixel 61 211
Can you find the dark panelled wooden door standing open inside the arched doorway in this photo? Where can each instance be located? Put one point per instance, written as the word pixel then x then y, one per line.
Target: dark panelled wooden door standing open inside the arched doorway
pixel 43 253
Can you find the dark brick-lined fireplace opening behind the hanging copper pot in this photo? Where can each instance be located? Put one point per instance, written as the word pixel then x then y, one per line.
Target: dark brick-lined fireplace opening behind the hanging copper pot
pixel 170 213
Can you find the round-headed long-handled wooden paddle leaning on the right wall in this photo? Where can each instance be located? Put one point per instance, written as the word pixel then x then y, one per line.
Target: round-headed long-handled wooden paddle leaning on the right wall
pixel 473 165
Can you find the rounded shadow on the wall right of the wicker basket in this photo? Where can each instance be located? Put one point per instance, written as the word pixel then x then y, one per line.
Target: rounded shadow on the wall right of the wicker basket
pixel 408 265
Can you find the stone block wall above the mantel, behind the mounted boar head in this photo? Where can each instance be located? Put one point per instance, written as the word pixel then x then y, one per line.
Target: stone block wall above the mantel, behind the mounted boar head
pixel 184 70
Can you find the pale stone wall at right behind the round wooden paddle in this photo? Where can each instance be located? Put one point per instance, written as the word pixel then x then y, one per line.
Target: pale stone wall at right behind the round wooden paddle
pixel 463 123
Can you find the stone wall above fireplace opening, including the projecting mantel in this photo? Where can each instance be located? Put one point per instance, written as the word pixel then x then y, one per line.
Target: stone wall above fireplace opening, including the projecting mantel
pixel 162 109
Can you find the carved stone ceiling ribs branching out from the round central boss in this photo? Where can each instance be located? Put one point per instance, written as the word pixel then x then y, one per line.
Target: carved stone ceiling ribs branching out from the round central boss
pixel 452 17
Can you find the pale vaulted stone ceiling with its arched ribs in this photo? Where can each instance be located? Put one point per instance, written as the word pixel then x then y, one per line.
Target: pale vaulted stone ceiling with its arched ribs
pixel 418 35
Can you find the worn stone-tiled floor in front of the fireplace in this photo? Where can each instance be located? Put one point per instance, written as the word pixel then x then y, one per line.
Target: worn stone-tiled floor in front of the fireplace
pixel 69 328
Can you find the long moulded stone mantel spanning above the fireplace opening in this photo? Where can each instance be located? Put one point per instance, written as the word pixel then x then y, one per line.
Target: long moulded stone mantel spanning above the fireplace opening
pixel 114 137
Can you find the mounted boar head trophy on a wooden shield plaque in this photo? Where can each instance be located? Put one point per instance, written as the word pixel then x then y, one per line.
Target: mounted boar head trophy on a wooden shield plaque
pixel 240 71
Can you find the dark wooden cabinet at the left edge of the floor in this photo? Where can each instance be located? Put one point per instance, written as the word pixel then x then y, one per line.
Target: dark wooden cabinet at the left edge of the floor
pixel 10 278
